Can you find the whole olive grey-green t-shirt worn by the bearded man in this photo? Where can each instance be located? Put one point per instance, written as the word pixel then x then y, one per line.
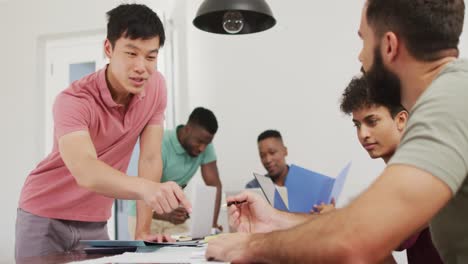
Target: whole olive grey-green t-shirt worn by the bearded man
pixel 436 141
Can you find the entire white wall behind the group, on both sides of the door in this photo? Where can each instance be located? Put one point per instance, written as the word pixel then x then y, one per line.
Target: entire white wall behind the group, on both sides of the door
pixel 289 78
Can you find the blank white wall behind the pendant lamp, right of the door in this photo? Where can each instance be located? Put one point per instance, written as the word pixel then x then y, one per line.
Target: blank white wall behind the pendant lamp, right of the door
pixel 288 78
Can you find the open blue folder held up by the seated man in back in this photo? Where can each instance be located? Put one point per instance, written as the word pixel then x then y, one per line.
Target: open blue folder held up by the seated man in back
pixel 307 188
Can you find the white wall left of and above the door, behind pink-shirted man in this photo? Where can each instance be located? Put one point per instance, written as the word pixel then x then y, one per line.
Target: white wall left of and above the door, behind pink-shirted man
pixel 22 22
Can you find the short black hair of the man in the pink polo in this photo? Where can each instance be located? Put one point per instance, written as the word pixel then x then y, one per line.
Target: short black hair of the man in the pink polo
pixel 134 21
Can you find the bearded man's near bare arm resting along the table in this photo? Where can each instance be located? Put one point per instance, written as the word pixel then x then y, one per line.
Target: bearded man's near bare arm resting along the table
pixel 401 200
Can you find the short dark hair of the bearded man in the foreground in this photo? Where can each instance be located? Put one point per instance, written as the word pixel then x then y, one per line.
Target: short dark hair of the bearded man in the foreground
pixel 427 27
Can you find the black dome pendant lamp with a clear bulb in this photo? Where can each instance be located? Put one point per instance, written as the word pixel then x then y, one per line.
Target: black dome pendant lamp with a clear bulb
pixel 234 17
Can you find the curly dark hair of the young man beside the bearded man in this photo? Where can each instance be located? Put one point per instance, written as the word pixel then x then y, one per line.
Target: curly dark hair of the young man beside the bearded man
pixel 356 96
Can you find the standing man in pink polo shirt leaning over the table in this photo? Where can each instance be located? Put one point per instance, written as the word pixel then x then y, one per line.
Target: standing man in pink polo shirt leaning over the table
pixel 97 121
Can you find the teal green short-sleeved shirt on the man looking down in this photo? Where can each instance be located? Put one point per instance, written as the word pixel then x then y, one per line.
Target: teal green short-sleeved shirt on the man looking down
pixel 178 165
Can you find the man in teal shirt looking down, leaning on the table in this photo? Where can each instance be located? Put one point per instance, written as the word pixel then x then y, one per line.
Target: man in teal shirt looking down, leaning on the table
pixel 184 150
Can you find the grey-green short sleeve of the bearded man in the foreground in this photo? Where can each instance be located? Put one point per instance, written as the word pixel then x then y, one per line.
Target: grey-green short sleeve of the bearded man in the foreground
pixel 436 138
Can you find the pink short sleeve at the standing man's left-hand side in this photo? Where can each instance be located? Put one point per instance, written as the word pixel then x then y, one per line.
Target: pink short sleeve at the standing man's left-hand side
pixel 70 114
